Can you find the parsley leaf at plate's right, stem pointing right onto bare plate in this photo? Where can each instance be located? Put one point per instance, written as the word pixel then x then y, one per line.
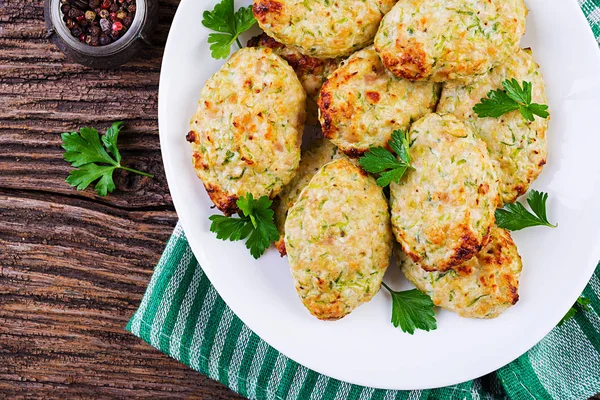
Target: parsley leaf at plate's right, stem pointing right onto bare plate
pixel 515 216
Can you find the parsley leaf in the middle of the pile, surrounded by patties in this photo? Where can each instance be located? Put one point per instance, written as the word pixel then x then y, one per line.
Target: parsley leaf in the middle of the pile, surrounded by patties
pixel 390 167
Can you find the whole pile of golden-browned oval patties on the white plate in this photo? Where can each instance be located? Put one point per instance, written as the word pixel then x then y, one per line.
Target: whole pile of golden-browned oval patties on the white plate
pixel 370 68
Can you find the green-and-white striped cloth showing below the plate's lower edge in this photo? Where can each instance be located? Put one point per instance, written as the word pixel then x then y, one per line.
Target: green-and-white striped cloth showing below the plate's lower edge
pixel 182 315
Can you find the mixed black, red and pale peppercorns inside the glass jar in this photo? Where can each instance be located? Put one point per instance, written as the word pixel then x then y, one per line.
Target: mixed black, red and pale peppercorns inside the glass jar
pixel 98 22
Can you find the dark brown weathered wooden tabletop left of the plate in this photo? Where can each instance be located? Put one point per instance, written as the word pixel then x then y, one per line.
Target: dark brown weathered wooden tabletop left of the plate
pixel 74 266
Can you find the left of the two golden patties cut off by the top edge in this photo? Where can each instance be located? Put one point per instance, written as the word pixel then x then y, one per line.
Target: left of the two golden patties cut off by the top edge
pixel 322 28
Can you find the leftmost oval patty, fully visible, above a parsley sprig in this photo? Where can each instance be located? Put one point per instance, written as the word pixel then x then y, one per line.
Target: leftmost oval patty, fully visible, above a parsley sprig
pixel 247 130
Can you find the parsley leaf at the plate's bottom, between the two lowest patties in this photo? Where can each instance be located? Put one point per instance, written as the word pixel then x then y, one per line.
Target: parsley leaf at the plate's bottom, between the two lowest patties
pixel 412 309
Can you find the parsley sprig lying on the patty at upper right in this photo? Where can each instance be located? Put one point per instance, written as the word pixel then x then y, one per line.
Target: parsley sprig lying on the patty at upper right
pixel 513 97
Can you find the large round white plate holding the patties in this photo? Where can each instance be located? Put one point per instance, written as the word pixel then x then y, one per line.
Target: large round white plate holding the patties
pixel 364 348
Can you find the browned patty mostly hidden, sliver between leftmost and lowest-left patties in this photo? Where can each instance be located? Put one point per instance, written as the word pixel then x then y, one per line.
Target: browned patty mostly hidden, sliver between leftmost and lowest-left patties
pixel 320 152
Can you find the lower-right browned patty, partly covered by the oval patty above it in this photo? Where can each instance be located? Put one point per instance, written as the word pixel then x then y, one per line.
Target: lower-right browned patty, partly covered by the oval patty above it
pixel 483 287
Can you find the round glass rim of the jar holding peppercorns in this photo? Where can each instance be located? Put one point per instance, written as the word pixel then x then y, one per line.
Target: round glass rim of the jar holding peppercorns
pixel 60 28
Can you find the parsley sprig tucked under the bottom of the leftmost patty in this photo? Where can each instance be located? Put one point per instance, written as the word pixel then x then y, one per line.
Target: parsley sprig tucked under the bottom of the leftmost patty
pixel 255 224
